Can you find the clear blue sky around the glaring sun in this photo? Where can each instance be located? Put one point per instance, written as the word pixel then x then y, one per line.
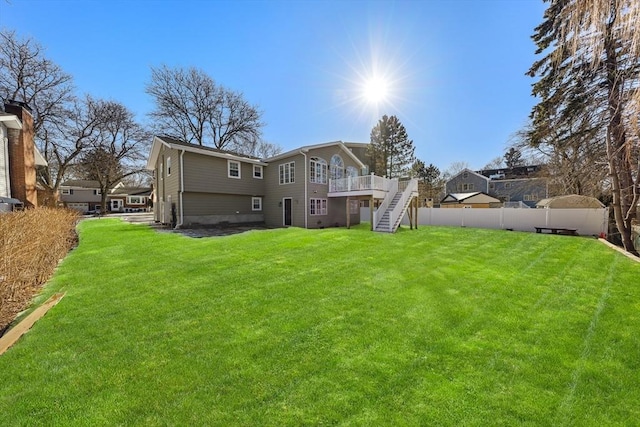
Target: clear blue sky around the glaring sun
pixel 454 68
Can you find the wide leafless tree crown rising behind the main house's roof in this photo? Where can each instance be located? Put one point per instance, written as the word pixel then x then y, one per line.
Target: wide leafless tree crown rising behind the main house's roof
pixel 191 106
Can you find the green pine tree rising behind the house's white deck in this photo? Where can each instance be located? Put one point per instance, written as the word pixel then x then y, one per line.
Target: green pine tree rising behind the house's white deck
pixel 390 151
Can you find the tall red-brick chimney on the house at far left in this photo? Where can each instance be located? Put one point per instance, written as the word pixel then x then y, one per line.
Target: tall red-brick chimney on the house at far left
pixel 22 165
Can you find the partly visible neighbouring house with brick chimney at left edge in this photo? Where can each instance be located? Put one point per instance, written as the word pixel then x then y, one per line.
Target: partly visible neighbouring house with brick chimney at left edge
pixel 19 157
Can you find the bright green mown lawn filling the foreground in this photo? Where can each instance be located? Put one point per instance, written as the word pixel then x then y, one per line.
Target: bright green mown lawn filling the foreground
pixel 439 326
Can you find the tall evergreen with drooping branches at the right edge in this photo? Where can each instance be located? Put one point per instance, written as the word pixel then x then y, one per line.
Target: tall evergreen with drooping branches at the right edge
pixel 588 91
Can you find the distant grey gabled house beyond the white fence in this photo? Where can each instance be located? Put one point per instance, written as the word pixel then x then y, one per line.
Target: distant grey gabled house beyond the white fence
pixel 520 185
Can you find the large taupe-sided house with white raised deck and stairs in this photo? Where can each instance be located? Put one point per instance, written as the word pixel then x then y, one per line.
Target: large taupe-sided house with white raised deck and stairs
pixel 314 186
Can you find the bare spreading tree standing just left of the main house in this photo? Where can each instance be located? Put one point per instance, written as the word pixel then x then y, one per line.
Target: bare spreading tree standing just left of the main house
pixel 118 152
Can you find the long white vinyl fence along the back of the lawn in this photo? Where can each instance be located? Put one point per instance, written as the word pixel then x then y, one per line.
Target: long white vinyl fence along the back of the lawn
pixel 587 222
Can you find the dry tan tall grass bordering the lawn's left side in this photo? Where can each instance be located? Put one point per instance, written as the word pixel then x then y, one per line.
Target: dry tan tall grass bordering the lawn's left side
pixel 32 242
